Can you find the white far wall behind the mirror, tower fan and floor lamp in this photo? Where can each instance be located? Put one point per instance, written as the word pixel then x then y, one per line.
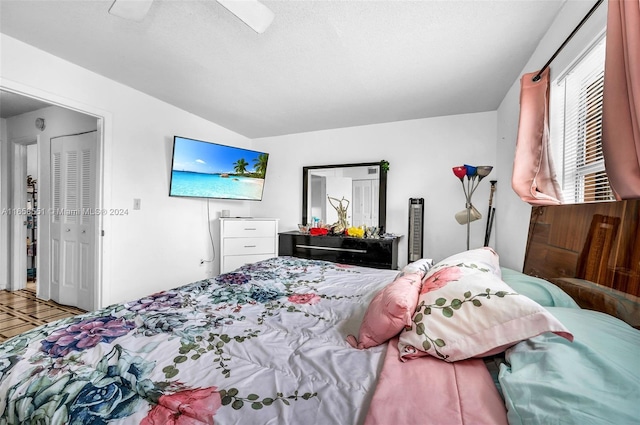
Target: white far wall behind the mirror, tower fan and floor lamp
pixel 421 154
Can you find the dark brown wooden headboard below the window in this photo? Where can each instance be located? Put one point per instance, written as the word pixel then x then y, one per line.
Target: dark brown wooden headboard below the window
pixel 592 251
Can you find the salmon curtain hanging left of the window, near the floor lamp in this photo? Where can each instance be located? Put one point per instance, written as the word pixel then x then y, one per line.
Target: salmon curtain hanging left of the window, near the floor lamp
pixel 534 178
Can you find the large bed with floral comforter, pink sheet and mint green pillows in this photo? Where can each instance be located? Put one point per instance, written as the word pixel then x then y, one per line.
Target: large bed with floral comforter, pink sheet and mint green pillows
pixel 290 340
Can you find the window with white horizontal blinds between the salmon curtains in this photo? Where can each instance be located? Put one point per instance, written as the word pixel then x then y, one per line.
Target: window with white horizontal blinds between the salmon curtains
pixel 576 128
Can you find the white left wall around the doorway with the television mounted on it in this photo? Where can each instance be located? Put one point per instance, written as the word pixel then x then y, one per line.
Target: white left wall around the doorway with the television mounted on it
pixel 159 246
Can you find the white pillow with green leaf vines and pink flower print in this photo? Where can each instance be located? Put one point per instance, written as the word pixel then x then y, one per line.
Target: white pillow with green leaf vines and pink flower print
pixel 465 310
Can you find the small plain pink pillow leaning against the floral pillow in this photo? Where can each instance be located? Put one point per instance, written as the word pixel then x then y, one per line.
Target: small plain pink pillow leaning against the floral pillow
pixel 389 312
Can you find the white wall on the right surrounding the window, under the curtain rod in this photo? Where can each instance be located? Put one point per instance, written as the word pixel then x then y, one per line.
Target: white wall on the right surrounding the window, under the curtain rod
pixel 512 214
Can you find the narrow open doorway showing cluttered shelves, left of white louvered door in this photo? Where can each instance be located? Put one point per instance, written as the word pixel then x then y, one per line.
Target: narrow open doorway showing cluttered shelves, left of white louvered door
pixel 31 217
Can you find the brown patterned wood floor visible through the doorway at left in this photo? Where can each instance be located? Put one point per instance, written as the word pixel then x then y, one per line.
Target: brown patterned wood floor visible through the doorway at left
pixel 21 311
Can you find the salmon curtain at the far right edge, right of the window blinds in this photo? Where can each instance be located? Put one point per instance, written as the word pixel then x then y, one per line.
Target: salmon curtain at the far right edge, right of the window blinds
pixel 621 101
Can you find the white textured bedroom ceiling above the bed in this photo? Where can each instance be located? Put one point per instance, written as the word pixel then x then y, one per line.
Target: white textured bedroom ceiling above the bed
pixel 320 65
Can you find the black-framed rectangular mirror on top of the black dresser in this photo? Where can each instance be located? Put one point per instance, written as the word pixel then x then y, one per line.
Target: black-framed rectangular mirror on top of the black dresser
pixel 363 187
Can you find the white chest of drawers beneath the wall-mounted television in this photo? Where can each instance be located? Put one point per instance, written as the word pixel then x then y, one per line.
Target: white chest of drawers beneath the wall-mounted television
pixel 247 240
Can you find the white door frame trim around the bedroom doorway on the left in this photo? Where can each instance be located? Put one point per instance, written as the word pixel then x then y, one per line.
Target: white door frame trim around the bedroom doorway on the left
pixel 103 177
